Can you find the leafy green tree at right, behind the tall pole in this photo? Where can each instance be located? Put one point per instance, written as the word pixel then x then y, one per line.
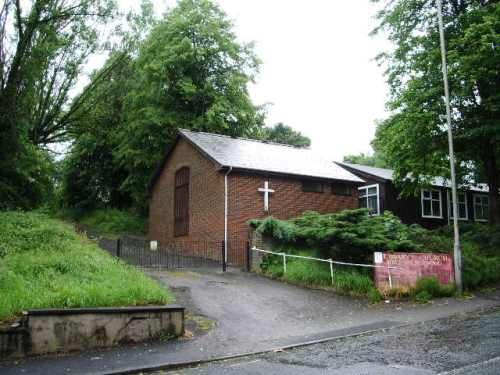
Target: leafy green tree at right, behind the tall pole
pixel 414 139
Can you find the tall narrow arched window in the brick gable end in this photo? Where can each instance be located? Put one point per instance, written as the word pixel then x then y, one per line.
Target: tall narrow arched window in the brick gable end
pixel 181 202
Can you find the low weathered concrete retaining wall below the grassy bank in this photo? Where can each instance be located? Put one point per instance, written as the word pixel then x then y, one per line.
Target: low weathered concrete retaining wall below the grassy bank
pixel 64 330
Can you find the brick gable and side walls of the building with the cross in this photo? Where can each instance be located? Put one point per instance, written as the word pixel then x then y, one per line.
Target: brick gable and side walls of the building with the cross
pixel 206 201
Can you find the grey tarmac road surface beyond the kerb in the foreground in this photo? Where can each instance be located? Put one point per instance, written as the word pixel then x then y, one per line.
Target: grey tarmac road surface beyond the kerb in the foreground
pixel 468 343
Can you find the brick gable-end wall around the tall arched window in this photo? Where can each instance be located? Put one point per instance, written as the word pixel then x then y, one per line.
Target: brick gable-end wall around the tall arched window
pixel 206 198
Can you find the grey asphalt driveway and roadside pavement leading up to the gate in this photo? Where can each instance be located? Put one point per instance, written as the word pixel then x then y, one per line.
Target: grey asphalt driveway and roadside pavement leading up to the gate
pixel 251 314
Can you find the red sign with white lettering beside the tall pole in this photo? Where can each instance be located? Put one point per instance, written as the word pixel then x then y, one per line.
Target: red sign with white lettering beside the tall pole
pixel 404 269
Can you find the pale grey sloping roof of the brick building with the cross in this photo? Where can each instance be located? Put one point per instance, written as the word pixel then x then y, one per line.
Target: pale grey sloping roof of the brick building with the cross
pixel 253 155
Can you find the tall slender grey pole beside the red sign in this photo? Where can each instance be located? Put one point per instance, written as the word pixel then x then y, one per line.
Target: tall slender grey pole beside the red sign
pixel 457 254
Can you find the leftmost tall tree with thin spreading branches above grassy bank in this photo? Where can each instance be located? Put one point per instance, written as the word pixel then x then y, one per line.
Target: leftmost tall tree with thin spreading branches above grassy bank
pixel 43 44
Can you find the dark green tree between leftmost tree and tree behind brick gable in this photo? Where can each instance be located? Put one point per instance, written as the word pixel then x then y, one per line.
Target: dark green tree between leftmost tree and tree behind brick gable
pixel 92 175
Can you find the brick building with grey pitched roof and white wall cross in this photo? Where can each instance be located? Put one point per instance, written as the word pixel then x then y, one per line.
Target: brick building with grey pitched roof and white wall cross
pixel 209 186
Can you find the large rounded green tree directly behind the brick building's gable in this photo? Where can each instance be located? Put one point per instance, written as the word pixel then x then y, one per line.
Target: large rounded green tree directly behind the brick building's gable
pixel 191 72
